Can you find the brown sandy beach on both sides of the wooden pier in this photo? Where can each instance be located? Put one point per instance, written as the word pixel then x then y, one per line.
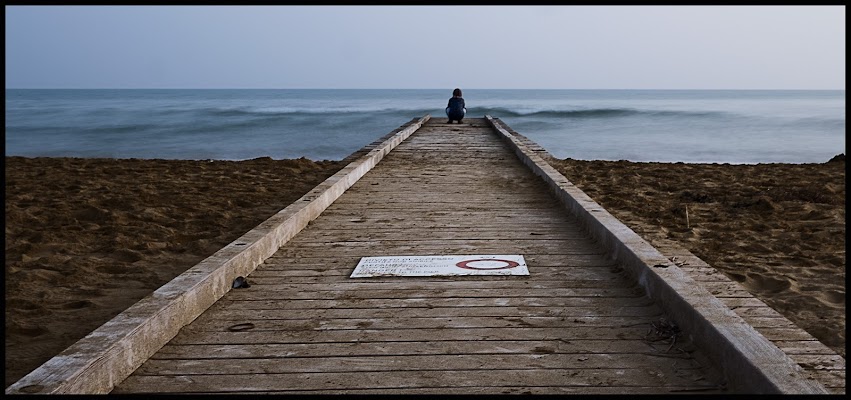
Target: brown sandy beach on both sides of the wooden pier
pixel 87 238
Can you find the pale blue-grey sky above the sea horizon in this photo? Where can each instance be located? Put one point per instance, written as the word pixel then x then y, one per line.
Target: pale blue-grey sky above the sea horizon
pixel 484 47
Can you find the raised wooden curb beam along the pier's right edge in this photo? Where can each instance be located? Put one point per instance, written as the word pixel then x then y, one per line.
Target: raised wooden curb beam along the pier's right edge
pixel 750 362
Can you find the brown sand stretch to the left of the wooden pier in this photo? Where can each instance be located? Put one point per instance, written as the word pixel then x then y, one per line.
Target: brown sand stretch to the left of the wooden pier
pixel 87 238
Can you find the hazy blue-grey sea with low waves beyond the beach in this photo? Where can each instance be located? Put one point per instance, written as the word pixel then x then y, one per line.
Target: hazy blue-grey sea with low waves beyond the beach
pixel 692 126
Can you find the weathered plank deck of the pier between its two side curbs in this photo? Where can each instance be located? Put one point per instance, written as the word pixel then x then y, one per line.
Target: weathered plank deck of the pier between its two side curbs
pixel 576 325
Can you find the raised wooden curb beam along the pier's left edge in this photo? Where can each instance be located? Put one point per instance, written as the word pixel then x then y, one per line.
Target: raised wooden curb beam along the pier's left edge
pixel 98 362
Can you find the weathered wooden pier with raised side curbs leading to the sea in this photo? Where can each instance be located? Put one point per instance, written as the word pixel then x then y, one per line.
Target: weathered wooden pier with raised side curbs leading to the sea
pixel 587 319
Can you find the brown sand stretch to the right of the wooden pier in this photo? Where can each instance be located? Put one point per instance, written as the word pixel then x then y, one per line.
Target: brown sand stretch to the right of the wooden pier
pixel 778 229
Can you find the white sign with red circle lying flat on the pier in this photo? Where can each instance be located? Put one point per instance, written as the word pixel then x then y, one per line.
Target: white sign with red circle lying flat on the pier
pixel 440 266
